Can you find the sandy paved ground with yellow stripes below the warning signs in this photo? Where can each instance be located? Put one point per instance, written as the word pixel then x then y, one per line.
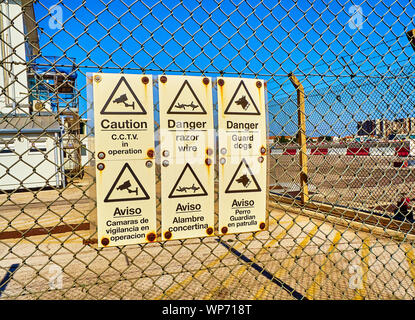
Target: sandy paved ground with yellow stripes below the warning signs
pixel 300 254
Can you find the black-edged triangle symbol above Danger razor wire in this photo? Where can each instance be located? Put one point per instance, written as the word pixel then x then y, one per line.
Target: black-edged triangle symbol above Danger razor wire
pixel 186 102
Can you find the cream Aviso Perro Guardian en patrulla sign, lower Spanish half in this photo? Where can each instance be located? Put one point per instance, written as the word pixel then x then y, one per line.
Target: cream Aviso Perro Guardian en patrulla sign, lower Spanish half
pixel 242 195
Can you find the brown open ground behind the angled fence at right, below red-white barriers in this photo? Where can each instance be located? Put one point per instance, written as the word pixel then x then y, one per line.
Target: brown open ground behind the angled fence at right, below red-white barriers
pixel 361 182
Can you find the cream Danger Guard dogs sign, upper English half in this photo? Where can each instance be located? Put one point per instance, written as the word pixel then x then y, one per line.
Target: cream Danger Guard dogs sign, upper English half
pixel 242 124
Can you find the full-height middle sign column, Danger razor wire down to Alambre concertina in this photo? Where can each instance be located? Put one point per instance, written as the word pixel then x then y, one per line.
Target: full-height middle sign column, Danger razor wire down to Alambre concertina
pixel 187 157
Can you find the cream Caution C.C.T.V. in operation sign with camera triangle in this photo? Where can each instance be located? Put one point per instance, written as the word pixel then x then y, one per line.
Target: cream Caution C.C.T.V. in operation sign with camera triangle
pixel 123 116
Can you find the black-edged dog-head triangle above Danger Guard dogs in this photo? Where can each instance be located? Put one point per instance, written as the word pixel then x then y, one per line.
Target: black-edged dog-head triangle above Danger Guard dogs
pixel 241 102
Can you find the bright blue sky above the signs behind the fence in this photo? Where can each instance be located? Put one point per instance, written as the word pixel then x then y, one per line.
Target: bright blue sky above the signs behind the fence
pixel 263 39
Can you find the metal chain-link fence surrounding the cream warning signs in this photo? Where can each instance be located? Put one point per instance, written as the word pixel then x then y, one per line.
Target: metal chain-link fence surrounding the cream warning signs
pixel 351 239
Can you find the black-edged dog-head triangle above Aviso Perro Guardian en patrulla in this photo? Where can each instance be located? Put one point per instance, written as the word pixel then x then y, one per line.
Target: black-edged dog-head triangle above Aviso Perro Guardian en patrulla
pixel 243 180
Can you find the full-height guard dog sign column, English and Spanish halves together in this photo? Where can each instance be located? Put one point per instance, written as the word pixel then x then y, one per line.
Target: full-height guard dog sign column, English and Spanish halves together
pixel 242 130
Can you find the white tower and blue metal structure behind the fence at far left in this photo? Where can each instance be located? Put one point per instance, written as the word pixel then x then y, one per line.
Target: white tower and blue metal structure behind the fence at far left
pixel 37 89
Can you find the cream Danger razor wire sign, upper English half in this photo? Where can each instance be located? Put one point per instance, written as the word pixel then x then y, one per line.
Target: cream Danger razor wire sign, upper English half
pixel 186 117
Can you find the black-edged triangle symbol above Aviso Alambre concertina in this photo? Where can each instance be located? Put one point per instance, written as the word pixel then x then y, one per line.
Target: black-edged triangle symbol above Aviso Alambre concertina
pixel 187 185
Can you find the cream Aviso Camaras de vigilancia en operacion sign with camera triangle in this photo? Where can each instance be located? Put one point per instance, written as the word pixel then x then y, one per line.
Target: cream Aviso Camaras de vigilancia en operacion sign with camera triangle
pixel 126 202
